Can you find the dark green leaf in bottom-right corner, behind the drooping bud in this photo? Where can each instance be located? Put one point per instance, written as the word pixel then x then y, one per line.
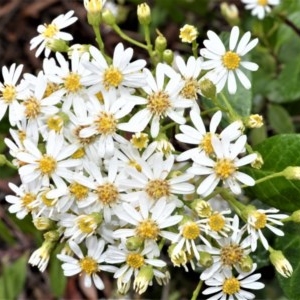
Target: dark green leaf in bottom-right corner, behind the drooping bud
pixel 289 244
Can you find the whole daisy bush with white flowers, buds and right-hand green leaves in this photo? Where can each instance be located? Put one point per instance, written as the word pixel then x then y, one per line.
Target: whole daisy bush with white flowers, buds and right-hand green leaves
pixel 143 159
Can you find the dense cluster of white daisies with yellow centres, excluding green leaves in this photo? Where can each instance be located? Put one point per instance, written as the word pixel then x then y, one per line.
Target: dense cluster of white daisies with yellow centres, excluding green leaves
pixel 114 154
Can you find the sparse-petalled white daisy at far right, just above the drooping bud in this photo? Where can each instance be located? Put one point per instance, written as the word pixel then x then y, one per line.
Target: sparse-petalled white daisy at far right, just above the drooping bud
pixel 258 219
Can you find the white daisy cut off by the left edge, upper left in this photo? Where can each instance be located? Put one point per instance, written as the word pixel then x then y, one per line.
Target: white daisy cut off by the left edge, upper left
pixel 9 93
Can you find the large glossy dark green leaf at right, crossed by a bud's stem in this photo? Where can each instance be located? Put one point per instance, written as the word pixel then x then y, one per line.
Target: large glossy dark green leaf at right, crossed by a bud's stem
pixel 278 152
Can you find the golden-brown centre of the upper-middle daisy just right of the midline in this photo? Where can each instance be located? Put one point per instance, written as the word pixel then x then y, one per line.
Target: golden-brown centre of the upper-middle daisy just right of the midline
pixel 159 103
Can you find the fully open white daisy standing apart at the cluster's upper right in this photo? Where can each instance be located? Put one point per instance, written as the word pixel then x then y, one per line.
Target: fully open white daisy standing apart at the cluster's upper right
pixel 224 64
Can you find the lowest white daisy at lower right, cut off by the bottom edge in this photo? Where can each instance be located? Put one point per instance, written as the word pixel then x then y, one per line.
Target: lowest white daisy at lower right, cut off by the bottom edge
pixel 229 287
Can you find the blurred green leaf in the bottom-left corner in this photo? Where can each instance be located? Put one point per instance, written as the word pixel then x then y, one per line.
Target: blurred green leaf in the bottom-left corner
pixel 13 278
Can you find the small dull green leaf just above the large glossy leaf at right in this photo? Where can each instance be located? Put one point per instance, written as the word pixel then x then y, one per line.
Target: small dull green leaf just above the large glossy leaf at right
pixel 280 119
